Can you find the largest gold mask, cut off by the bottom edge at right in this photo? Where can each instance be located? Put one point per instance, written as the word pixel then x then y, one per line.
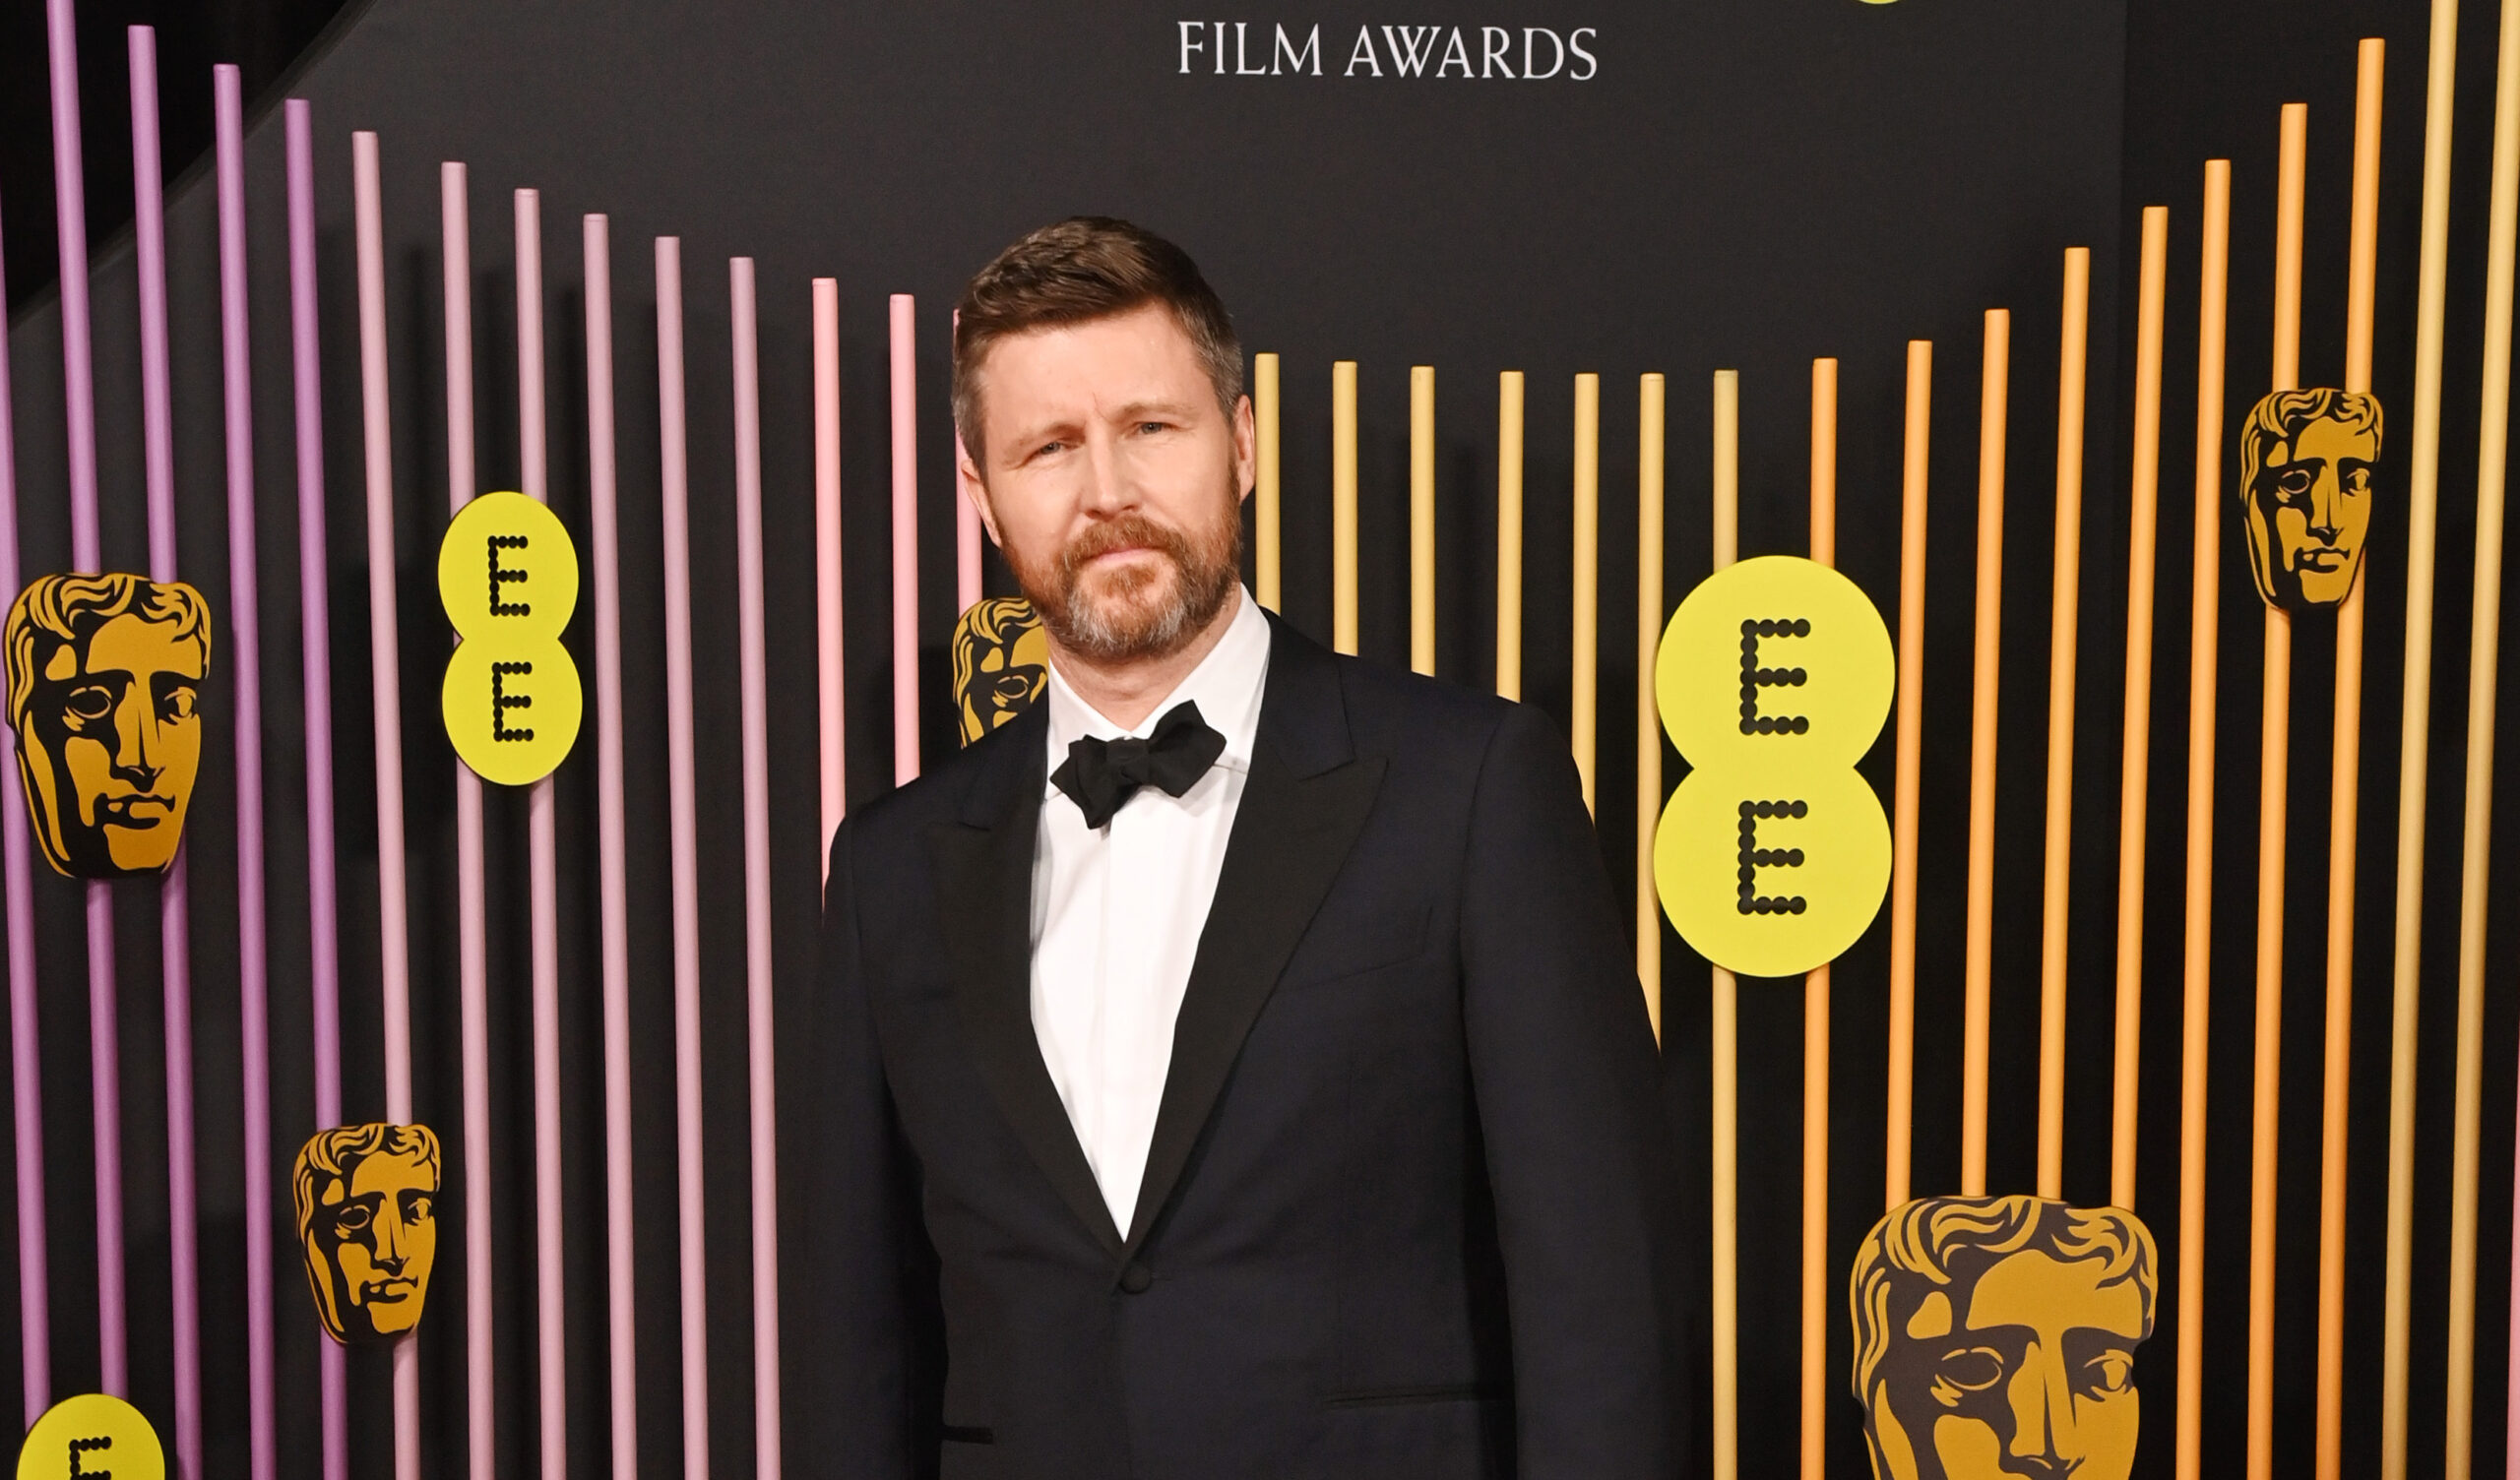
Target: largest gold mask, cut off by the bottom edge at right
pixel 1997 1338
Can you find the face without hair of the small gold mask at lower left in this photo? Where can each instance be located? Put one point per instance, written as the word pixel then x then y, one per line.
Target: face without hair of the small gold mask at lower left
pixel 377 1237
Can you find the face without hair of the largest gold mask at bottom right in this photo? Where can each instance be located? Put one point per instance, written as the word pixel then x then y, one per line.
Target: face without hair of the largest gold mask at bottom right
pixel 2032 1373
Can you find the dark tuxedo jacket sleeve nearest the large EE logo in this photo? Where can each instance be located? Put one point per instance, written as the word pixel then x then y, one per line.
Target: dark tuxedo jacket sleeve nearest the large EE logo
pixel 1579 1149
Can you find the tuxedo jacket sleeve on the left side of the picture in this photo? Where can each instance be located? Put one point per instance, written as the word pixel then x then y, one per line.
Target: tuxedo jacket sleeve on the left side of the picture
pixel 878 1330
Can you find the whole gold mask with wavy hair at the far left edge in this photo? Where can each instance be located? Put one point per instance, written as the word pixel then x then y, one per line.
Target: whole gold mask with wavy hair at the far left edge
pixel 105 686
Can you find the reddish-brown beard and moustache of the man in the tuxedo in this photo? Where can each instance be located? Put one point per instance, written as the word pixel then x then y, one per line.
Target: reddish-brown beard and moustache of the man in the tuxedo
pixel 1135 613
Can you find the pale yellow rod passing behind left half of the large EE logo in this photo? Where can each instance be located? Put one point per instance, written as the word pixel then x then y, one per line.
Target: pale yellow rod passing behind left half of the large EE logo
pixel 1725 1018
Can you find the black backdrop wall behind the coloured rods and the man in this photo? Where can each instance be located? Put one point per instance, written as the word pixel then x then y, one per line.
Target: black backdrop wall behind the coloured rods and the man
pixel 1735 188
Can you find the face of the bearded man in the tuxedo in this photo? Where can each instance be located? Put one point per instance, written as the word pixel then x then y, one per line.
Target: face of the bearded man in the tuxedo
pixel 1110 477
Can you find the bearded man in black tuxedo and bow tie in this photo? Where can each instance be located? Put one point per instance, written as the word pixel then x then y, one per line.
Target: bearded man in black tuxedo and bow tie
pixel 1234 1066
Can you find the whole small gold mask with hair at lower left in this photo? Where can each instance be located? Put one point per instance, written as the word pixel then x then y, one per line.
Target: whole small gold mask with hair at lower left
pixel 369 1227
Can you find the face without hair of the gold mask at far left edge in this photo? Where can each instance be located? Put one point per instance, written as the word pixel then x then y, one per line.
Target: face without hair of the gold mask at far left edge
pixel 115 746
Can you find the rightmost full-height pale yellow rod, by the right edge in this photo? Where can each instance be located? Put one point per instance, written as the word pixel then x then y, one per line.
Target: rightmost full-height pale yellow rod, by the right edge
pixel 2494 449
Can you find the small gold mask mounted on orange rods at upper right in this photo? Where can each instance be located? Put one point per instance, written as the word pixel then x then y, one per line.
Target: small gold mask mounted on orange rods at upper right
pixel 2307 495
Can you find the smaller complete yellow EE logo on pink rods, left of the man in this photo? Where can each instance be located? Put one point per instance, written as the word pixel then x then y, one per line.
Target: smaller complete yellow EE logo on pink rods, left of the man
pixel 508 578
